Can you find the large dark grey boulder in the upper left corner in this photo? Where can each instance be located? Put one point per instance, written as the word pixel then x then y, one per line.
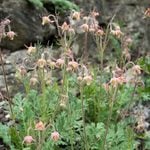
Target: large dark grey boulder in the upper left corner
pixel 25 21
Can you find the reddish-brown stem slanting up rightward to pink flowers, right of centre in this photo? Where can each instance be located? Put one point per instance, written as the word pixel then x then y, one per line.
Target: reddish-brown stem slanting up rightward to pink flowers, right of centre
pixel 109 117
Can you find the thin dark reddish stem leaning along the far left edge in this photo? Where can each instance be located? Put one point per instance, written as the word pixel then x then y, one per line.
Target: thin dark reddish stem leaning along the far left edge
pixel 5 80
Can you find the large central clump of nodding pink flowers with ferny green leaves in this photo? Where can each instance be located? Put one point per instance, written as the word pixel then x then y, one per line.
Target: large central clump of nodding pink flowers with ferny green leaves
pixel 85 108
